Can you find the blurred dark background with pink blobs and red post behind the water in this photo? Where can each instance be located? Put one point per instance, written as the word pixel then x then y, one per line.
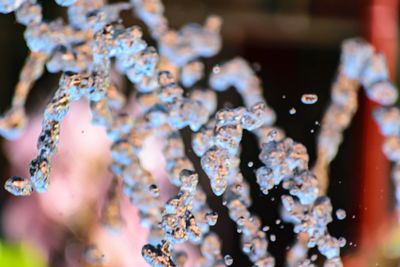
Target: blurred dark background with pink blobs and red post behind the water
pixel 294 46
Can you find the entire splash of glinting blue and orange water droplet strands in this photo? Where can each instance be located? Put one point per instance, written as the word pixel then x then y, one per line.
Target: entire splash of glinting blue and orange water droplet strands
pixel 95 44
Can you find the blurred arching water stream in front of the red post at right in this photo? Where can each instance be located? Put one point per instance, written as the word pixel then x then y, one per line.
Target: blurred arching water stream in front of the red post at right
pixel 360 65
